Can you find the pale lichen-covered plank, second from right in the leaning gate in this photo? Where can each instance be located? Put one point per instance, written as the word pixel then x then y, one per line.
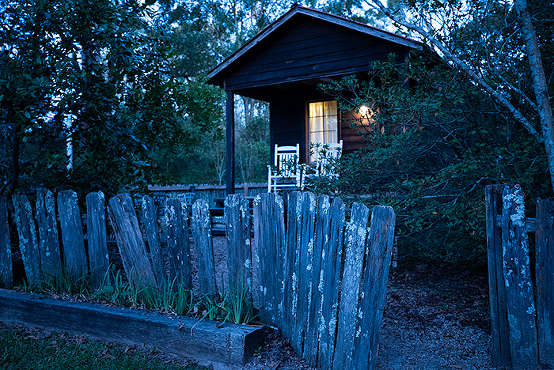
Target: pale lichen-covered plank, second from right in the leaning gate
pixel 355 239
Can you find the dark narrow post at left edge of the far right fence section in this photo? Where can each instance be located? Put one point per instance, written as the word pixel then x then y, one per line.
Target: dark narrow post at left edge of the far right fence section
pixel 497 290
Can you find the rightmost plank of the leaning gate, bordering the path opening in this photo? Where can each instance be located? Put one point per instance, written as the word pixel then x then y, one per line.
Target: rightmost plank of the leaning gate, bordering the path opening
pixel 374 287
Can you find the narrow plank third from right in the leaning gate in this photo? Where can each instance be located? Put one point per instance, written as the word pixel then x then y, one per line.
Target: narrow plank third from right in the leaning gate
pixel 331 268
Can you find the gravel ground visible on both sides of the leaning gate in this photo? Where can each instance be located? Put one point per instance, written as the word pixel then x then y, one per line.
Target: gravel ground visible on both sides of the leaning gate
pixel 435 318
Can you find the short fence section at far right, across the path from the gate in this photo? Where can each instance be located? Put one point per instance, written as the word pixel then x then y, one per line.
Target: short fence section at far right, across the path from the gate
pixel 522 303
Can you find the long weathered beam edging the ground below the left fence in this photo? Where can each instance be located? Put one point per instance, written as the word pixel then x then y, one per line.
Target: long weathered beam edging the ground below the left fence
pixel 228 347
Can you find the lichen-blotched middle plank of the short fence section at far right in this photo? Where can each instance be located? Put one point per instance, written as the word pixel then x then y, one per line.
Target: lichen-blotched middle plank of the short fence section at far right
pixel 517 278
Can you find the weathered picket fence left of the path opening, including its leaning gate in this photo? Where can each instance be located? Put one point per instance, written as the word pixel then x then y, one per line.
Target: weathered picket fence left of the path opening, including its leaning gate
pixel 320 279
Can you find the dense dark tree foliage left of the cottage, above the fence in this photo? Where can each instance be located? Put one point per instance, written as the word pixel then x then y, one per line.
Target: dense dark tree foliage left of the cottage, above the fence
pixel 90 96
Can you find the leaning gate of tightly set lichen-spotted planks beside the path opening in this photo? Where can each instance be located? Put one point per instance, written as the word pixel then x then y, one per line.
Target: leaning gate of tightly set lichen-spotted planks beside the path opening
pixel 323 281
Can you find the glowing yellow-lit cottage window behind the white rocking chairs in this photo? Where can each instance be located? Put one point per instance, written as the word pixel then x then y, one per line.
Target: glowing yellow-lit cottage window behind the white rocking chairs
pixel 323 127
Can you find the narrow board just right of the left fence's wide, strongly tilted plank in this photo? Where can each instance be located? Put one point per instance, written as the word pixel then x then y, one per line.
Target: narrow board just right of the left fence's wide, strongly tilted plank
pixel 151 229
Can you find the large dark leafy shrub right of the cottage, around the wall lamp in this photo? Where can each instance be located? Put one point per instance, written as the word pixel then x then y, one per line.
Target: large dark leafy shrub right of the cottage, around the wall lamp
pixel 432 149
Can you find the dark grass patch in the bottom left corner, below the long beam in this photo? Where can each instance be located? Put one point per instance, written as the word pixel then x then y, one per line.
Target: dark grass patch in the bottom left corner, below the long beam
pixel 23 349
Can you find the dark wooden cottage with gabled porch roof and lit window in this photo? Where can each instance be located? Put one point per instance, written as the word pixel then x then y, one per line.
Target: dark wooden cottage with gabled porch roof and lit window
pixel 283 65
